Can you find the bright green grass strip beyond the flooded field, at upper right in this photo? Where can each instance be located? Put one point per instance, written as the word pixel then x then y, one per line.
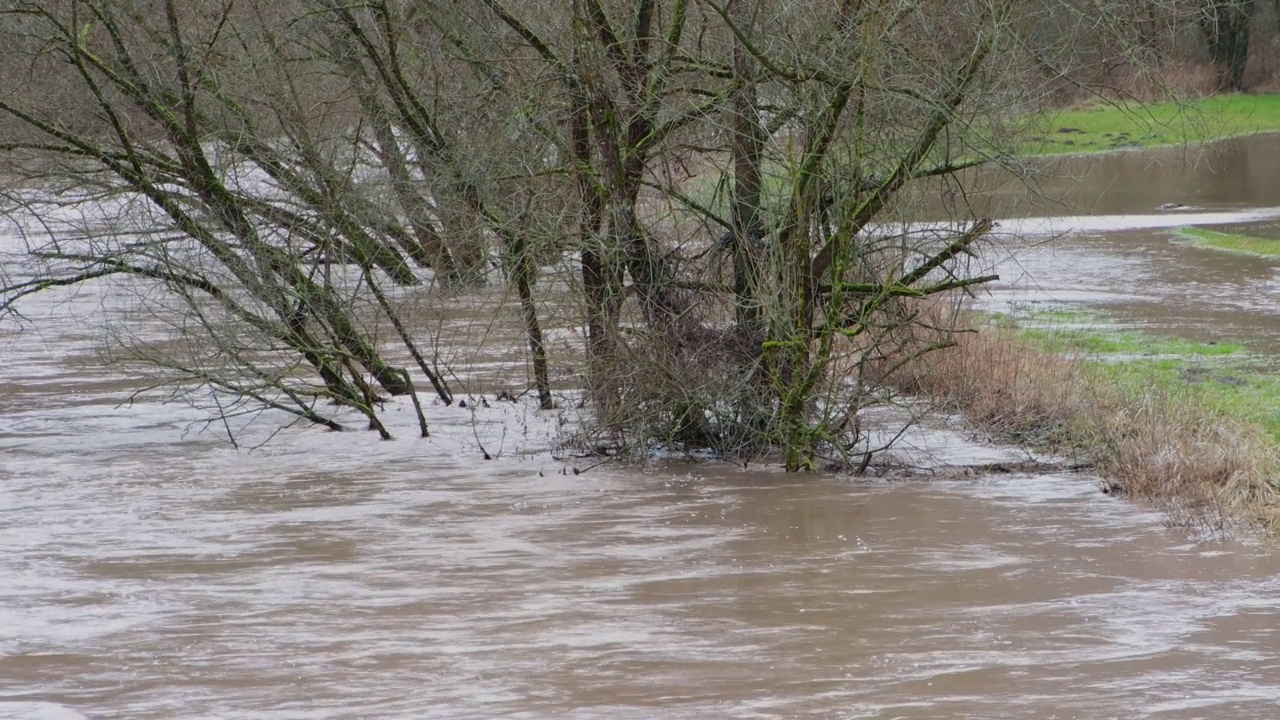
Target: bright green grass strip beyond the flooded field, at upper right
pixel 1118 127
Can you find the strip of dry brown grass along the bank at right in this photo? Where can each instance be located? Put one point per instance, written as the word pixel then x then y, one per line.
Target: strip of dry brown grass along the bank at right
pixel 1206 471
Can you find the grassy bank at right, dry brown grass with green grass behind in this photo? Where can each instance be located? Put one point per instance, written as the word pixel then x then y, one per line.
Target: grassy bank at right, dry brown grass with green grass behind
pixel 1192 427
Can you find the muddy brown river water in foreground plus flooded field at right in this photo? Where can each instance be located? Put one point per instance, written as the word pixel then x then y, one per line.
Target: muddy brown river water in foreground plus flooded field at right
pixel 148 571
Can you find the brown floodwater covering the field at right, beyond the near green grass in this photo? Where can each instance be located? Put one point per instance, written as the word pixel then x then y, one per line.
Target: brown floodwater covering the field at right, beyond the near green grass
pixel 1116 252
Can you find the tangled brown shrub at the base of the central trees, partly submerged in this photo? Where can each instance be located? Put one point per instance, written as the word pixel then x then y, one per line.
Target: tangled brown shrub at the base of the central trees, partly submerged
pixel 712 388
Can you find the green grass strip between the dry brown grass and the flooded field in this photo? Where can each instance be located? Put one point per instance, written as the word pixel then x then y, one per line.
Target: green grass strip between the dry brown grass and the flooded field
pixel 1220 377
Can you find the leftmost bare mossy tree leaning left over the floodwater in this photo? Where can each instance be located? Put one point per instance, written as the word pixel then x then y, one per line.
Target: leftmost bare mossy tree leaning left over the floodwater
pixel 223 199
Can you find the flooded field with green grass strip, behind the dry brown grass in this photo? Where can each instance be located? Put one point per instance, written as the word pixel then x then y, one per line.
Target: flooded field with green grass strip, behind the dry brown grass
pixel 1186 318
